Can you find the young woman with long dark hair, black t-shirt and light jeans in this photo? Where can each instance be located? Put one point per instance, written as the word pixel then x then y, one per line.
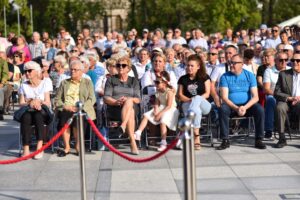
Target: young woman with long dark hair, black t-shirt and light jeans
pixel 193 90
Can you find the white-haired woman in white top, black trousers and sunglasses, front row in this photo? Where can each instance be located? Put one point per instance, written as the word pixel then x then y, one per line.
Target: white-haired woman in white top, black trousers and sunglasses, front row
pixel 34 93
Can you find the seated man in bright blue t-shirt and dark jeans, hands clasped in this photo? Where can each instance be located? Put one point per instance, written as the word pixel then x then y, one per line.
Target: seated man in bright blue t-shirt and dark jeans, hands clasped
pixel 239 95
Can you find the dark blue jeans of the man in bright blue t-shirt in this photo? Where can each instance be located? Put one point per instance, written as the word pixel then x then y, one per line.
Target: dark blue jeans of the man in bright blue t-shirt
pixel 256 111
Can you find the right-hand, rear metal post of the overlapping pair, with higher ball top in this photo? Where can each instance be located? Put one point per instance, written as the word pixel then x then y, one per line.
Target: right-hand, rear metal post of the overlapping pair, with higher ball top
pixel 191 116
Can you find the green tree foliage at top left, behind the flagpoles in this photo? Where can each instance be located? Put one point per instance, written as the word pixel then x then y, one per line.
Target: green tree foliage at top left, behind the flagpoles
pixel 49 15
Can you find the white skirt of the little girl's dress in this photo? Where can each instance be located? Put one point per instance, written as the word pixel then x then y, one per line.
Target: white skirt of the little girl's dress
pixel 169 118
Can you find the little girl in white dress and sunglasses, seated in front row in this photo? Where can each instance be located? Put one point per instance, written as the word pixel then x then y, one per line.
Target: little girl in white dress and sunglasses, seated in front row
pixel 164 111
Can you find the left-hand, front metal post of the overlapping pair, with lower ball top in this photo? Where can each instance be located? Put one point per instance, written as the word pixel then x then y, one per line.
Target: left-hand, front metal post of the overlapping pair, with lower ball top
pixel 185 125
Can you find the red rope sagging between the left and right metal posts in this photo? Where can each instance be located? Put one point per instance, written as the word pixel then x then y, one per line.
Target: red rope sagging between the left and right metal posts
pixel 131 159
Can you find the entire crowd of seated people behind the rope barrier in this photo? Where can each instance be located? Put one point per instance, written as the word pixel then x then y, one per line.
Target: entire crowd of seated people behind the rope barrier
pixel 227 74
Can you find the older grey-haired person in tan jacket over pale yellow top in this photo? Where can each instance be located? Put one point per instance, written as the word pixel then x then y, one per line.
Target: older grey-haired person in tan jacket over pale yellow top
pixel 71 90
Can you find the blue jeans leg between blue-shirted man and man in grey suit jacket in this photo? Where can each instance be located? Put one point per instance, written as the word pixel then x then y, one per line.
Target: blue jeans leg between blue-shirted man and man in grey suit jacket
pixel 270 107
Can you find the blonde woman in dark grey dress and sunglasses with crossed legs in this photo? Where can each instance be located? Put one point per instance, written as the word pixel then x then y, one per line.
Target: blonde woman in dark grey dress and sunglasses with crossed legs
pixel 121 94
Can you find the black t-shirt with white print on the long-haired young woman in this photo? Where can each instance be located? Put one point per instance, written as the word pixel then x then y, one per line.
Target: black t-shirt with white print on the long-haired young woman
pixel 192 87
